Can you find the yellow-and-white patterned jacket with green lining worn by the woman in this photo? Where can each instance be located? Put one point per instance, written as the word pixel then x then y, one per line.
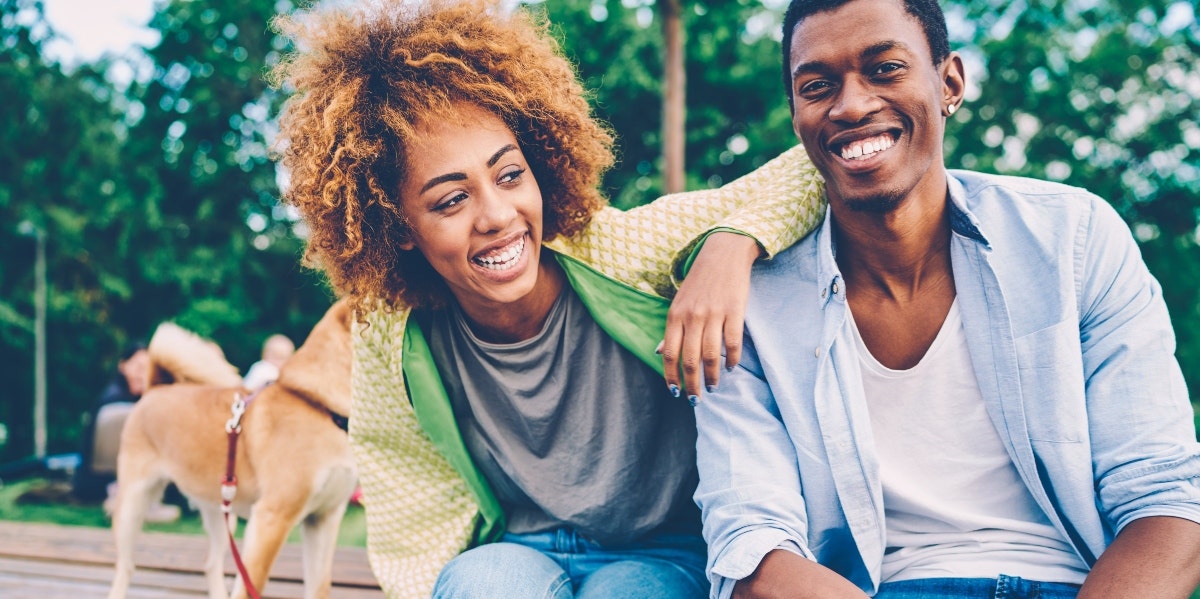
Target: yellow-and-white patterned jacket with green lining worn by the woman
pixel 425 500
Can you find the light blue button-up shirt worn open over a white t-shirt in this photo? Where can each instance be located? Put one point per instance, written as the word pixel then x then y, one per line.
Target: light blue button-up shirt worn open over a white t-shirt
pixel 1071 344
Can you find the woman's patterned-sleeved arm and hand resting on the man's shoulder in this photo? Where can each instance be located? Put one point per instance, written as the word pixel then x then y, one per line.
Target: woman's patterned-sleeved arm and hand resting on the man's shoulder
pixel 652 245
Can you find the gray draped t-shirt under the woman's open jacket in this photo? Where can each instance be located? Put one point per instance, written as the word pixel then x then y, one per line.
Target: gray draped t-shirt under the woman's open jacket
pixel 569 428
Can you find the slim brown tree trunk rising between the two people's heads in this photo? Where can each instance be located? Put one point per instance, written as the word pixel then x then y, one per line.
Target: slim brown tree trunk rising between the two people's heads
pixel 675 110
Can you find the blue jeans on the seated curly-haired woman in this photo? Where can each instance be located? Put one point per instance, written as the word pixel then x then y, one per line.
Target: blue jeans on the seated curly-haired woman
pixel 565 565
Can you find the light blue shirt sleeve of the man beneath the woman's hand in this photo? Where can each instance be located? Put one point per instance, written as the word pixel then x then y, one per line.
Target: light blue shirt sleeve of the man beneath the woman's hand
pixel 749 483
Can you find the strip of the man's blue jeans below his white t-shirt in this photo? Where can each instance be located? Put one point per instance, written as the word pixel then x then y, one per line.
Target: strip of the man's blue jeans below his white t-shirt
pixel 1005 588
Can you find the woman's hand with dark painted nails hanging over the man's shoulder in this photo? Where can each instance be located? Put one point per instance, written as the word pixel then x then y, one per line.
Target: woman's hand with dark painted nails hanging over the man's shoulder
pixel 707 314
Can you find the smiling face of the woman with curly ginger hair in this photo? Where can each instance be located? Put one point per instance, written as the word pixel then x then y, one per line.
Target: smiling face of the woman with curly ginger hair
pixel 475 208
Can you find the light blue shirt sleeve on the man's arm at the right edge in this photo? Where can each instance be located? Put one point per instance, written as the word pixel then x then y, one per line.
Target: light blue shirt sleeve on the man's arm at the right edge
pixel 1145 454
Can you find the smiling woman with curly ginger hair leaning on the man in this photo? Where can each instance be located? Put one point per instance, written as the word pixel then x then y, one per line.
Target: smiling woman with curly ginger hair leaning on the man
pixel 513 426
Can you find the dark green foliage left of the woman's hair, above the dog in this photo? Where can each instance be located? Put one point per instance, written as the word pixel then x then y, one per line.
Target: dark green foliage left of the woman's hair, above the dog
pixel 159 203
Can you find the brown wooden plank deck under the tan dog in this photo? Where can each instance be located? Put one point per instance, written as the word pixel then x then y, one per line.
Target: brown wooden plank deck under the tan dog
pixel 63 562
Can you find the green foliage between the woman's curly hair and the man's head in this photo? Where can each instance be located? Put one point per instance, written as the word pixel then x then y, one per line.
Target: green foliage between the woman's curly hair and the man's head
pixel 735 117
